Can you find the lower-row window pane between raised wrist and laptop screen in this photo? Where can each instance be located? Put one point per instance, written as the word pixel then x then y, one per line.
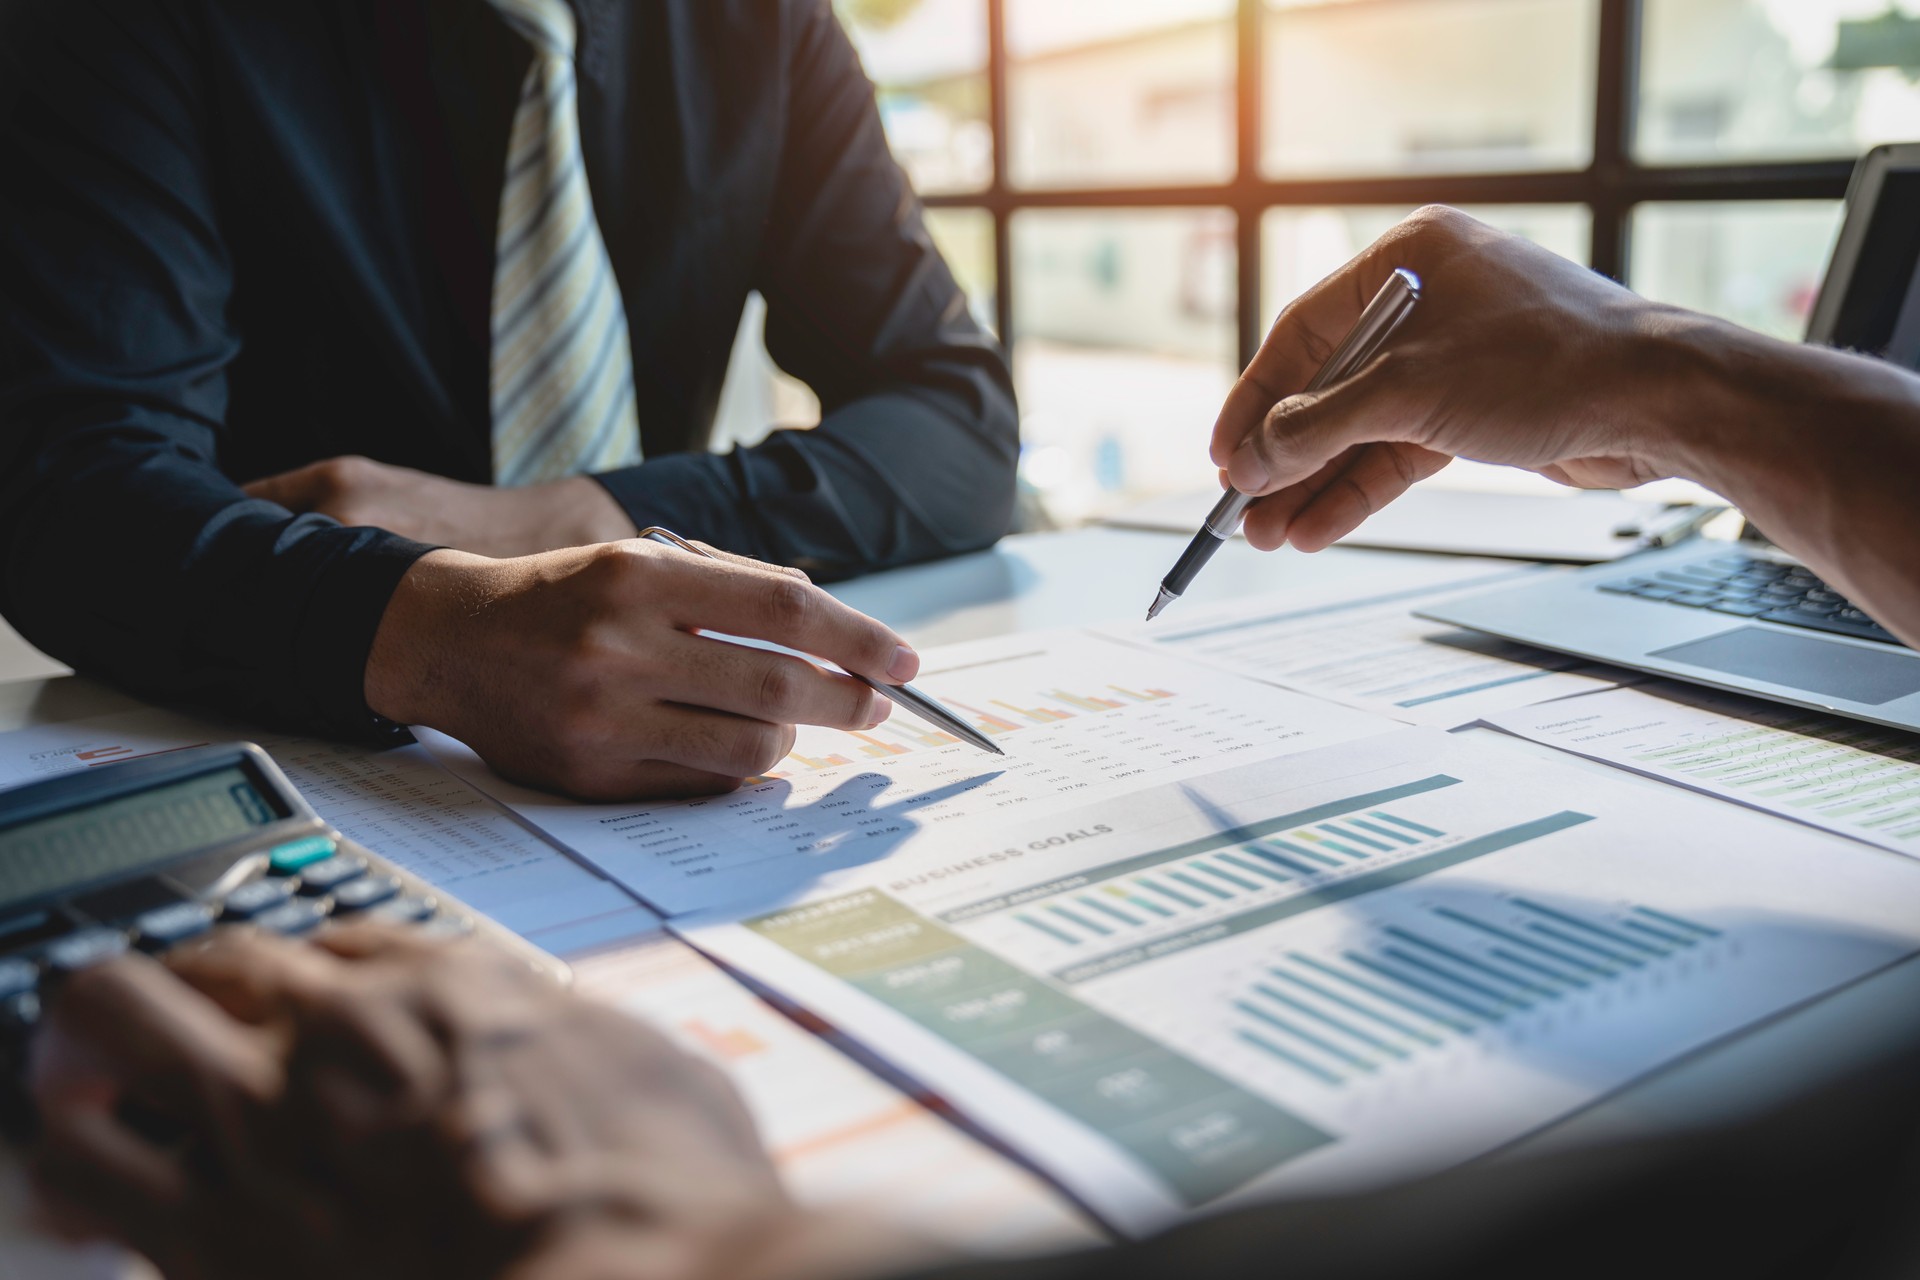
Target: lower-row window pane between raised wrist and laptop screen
pixel 1758 262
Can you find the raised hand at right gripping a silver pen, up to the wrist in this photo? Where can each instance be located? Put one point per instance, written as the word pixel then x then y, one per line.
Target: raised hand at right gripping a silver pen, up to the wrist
pixel 1514 356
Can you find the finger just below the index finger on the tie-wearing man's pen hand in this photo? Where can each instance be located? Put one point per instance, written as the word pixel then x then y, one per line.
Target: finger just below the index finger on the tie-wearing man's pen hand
pixel 769 686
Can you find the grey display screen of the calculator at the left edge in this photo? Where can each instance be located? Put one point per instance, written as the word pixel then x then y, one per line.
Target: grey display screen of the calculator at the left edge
pixel 132 832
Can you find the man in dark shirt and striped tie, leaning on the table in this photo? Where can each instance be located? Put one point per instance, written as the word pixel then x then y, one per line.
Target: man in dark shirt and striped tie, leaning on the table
pixel 343 343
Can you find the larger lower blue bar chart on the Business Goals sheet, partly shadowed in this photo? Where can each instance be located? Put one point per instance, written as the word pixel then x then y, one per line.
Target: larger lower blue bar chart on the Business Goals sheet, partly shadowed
pixel 1426 984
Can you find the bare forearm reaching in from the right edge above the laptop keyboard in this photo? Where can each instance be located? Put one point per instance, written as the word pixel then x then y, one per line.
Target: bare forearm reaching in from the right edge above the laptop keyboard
pixel 1819 448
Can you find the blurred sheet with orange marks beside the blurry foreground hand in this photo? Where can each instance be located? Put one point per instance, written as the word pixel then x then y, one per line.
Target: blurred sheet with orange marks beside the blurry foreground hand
pixel 840 1135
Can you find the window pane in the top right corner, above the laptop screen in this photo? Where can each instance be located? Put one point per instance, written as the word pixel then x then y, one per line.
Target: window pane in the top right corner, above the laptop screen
pixel 1735 80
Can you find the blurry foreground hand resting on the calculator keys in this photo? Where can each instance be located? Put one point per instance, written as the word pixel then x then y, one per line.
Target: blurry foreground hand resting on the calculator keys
pixel 389 1108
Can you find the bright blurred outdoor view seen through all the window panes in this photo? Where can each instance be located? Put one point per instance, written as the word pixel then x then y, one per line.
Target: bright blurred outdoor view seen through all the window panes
pixel 1124 320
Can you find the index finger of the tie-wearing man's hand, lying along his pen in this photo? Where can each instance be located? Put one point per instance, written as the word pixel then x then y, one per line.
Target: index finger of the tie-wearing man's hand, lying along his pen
pixel 779 605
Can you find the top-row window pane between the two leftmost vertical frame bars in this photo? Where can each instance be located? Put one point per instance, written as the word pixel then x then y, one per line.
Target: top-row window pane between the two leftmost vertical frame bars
pixel 1120 93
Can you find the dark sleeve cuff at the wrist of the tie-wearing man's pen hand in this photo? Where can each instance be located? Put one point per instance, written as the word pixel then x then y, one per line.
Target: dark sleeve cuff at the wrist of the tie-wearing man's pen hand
pixel 339 625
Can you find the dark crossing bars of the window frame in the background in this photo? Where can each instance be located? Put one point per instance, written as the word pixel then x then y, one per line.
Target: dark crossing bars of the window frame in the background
pixel 1610 187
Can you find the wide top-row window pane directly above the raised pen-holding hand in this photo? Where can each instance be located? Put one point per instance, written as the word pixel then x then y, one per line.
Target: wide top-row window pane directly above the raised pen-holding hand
pixel 1389 87
